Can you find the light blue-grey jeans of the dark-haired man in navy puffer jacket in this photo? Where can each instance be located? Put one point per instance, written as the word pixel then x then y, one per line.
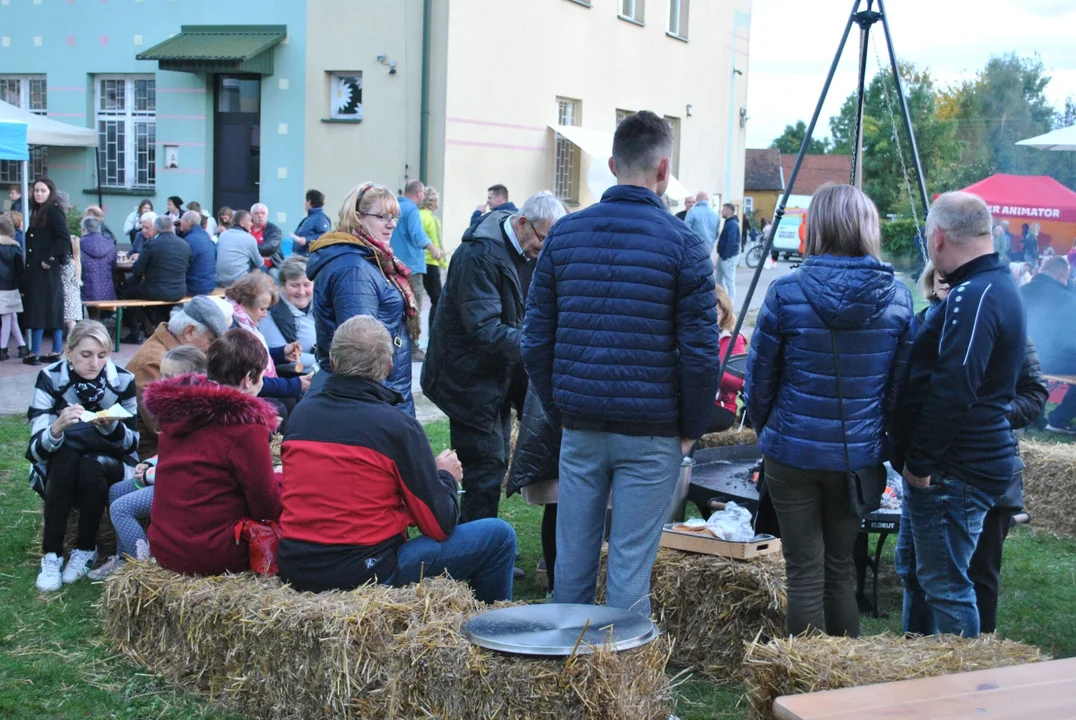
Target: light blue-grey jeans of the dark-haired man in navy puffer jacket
pixel 643 474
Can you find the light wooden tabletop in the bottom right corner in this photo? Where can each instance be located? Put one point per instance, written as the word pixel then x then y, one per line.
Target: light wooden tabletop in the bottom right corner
pixel 1042 691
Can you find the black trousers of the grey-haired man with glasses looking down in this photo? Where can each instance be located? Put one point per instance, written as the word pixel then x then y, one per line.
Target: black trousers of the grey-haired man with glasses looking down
pixel 485 457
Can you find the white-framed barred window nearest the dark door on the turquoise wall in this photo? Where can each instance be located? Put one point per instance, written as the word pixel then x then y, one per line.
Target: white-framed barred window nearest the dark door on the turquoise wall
pixel 128 131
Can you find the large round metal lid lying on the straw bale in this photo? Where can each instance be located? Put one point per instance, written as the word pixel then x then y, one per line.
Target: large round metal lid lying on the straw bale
pixel 556 630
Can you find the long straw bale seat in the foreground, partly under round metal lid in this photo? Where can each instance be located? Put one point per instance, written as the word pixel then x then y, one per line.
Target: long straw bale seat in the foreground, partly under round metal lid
pixel 264 651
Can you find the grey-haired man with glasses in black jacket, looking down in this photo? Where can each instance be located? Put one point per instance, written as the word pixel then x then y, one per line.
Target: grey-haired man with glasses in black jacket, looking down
pixel 474 371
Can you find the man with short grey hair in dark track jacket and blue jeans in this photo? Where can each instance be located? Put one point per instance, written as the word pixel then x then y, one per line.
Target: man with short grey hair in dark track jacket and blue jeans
pixel 952 432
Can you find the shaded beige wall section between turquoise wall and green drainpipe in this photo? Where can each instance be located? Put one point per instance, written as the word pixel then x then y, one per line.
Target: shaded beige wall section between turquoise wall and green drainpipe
pixel 384 148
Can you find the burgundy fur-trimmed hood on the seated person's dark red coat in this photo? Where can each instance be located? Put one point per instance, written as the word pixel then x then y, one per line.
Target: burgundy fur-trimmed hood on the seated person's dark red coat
pixel 190 402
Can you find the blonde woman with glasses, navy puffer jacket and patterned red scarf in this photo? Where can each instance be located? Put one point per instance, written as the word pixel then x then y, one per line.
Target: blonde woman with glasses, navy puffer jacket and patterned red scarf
pixel 356 273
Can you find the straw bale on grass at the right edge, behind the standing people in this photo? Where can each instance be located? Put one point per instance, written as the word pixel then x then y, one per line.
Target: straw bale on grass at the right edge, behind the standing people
pixel 1050 487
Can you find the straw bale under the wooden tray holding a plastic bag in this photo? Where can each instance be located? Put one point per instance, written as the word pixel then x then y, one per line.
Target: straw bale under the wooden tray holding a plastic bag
pixel 711 606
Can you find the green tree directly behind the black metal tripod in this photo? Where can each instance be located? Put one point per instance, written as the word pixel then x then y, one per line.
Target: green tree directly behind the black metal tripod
pixel 884 177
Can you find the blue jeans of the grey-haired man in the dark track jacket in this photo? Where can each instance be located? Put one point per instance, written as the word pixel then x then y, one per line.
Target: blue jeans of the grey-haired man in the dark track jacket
pixel 940 529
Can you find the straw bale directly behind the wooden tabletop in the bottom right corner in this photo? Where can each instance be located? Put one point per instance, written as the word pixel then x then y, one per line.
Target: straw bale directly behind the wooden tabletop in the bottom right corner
pixel 812 663
